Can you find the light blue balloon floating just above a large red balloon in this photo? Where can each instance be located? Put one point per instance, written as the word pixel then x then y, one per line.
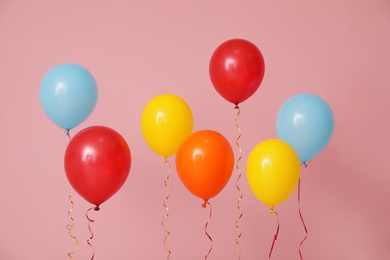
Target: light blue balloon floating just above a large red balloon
pixel 68 95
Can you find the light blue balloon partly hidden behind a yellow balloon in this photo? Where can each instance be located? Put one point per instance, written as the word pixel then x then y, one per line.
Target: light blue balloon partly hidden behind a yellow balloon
pixel 306 122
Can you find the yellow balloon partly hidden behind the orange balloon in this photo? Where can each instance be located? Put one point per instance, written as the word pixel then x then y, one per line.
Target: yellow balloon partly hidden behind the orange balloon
pixel 166 121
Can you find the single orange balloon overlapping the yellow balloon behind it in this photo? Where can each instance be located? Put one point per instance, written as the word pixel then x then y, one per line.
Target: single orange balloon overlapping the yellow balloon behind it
pixel 204 163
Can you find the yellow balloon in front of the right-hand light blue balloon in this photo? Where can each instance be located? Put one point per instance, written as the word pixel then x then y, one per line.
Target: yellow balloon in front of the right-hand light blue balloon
pixel 273 171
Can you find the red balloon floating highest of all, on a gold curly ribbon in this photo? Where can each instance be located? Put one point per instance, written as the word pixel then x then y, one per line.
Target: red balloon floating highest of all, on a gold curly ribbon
pixel 236 70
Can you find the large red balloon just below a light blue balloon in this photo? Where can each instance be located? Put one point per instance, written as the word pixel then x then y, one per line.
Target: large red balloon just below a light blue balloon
pixel 97 163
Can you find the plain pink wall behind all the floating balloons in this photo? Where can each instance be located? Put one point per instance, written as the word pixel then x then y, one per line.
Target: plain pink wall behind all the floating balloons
pixel 139 49
